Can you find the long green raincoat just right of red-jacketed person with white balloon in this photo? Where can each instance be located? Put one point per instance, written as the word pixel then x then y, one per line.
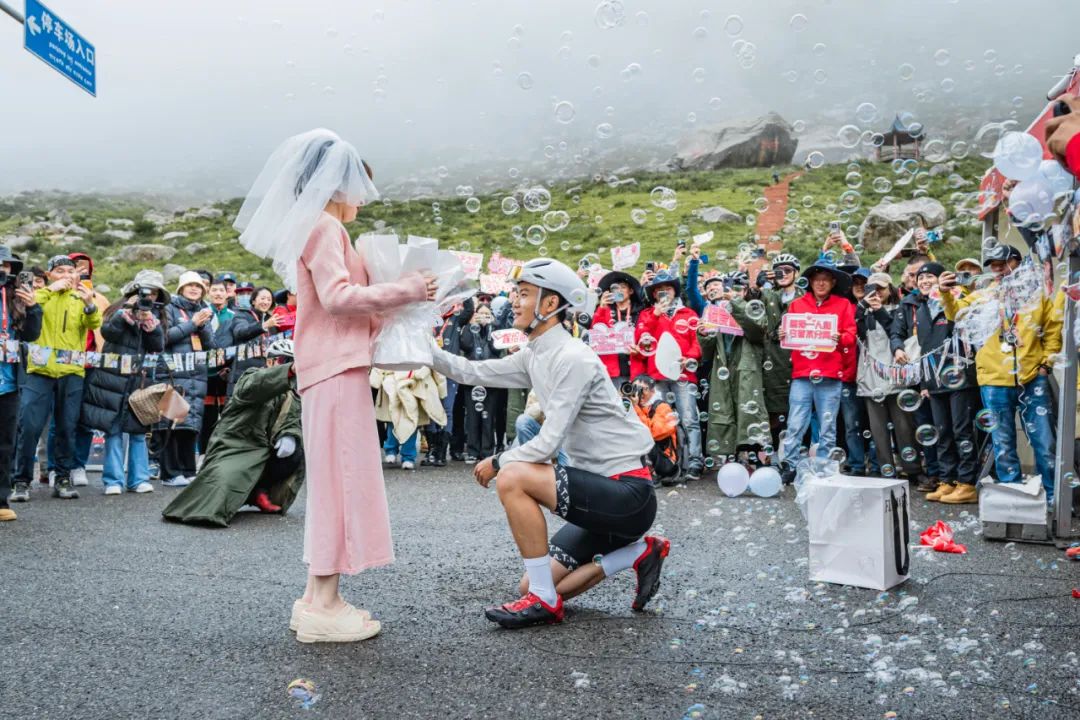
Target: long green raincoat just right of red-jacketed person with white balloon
pixel 730 419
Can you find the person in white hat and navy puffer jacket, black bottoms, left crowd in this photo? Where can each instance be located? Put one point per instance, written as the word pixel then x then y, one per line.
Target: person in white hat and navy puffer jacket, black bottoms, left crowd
pixel 188 331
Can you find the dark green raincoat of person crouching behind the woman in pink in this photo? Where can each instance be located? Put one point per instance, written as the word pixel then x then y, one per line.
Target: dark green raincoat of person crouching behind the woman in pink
pixel 240 447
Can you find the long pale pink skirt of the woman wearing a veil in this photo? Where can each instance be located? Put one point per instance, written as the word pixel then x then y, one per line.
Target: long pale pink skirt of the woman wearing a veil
pixel 347 525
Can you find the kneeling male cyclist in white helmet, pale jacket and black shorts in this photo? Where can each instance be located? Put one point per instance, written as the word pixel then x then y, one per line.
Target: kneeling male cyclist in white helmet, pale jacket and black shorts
pixel 604 493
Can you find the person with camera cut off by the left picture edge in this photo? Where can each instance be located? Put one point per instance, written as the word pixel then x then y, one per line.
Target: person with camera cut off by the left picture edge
pixel 20 322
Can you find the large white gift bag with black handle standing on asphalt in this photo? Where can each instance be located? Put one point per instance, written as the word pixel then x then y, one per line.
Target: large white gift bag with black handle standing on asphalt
pixel 859 532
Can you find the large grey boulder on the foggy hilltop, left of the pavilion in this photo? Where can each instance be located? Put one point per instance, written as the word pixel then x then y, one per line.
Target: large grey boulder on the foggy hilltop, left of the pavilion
pixel 762 143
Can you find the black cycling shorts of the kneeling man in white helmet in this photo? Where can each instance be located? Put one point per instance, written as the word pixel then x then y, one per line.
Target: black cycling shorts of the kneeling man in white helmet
pixel 602 514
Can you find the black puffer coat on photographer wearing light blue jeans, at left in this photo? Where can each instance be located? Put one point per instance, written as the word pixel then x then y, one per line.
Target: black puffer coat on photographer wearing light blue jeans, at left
pixel 105 399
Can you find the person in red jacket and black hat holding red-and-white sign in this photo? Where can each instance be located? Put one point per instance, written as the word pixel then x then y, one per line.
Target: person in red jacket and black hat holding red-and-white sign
pixel 818 376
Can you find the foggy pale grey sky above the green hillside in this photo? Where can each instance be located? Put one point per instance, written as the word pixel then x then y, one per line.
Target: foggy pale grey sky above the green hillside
pixel 194 96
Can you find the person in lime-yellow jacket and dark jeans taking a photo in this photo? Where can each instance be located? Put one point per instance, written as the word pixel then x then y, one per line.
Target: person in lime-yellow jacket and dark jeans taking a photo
pixel 55 375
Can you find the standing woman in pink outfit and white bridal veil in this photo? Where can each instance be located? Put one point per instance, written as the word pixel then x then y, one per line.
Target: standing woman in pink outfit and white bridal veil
pixel 296 213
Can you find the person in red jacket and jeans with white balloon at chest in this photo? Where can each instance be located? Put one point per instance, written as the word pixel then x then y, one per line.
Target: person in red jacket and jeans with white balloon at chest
pixel 667 315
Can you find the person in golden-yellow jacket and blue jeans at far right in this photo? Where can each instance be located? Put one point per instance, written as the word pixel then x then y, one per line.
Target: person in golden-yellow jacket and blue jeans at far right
pixel 1012 369
